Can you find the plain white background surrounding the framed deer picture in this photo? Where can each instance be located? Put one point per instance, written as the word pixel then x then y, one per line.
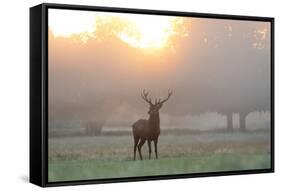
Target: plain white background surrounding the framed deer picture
pixel 14 84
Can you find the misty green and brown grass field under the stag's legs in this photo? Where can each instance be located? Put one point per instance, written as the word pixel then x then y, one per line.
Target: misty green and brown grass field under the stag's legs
pixel 111 156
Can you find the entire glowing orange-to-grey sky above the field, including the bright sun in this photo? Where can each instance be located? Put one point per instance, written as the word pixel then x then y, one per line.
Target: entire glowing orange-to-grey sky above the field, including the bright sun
pixel 100 62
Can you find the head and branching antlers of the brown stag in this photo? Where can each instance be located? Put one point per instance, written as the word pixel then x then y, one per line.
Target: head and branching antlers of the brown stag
pixel 155 106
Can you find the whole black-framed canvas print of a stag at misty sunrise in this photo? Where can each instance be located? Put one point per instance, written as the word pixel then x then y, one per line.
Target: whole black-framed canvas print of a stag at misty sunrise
pixel 130 95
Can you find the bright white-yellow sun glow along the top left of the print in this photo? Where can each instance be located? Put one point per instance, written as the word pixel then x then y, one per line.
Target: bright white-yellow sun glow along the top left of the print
pixel 138 30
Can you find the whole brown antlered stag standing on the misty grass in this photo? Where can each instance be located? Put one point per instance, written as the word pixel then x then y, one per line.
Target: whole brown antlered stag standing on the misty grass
pixel 148 129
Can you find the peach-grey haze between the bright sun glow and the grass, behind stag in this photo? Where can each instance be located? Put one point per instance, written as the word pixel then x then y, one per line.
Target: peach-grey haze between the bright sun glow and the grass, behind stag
pixel 220 67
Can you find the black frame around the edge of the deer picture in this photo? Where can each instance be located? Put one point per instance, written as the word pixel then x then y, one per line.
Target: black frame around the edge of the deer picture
pixel 39 93
